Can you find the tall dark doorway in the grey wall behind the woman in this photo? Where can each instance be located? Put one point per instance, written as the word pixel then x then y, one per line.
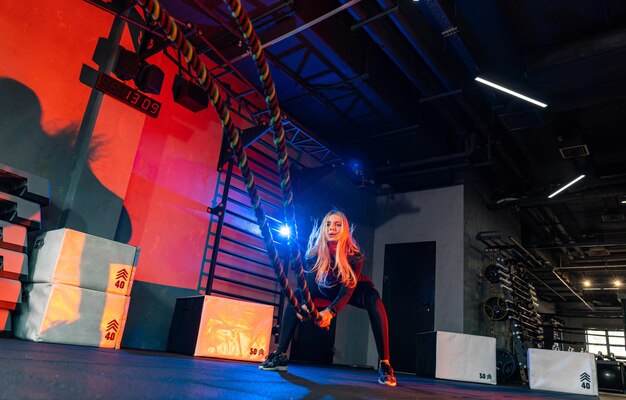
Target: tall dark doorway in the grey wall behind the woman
pixel 409 297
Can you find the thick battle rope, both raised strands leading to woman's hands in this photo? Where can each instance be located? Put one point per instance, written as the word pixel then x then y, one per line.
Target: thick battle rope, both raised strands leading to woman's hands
pixel 167 24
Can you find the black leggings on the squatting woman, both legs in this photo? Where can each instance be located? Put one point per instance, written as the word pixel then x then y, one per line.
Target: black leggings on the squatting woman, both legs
pixel 365 296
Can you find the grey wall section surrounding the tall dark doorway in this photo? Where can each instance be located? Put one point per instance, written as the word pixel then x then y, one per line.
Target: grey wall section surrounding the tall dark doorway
pixel 430 215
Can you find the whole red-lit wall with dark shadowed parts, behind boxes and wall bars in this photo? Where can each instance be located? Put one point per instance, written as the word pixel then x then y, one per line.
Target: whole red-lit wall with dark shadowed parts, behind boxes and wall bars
pixel 160 173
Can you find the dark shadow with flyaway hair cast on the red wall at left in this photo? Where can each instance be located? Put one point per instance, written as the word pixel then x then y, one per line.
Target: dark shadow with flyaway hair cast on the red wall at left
pixel 51 155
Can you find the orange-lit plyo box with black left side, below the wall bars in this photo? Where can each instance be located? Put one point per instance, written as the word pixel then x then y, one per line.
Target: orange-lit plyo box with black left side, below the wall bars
pixel 219 327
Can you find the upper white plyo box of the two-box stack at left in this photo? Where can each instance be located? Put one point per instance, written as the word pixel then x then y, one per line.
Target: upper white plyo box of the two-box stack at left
pixel 69 257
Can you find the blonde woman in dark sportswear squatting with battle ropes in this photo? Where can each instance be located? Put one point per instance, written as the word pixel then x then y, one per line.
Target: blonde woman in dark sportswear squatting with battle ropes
pixel 334 265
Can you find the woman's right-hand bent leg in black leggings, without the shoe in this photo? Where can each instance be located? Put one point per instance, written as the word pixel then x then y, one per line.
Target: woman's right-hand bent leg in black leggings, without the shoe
pixel 366 296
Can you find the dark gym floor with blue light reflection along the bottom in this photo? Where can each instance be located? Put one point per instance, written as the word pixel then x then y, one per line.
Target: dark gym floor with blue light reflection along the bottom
pixel 52 371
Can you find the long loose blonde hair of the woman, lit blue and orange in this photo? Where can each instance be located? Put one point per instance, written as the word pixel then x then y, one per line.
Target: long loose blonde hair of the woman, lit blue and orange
pixel 346 247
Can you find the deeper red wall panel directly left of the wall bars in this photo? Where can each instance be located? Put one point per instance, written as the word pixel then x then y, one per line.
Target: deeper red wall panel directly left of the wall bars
pixel 173 181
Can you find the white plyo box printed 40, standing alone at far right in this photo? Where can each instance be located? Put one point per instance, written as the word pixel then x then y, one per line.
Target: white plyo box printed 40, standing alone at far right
pixel 562 371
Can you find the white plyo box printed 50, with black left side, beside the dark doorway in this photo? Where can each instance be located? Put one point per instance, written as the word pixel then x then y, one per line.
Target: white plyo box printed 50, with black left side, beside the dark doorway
pixel 456 356
